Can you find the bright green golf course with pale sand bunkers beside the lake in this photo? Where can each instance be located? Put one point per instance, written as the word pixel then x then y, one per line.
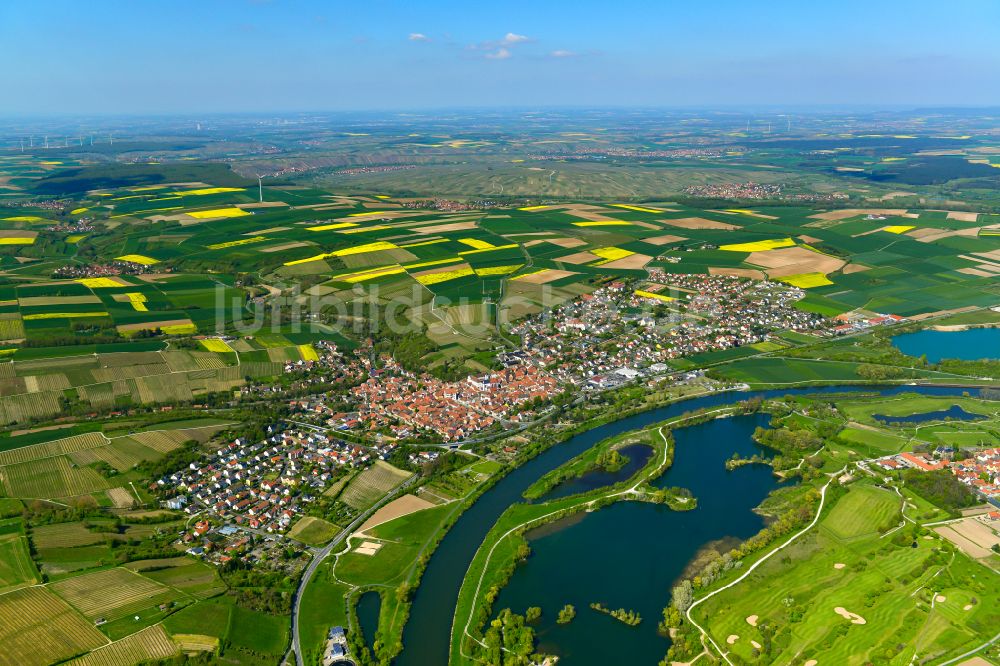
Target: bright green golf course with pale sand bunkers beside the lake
pixel 918 600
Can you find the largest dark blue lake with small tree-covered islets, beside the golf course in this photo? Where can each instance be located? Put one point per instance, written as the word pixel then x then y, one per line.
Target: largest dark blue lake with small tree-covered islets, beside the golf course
pixel 630 554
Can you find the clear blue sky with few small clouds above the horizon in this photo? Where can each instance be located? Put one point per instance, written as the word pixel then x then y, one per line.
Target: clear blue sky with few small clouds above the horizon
pixel 223 56
